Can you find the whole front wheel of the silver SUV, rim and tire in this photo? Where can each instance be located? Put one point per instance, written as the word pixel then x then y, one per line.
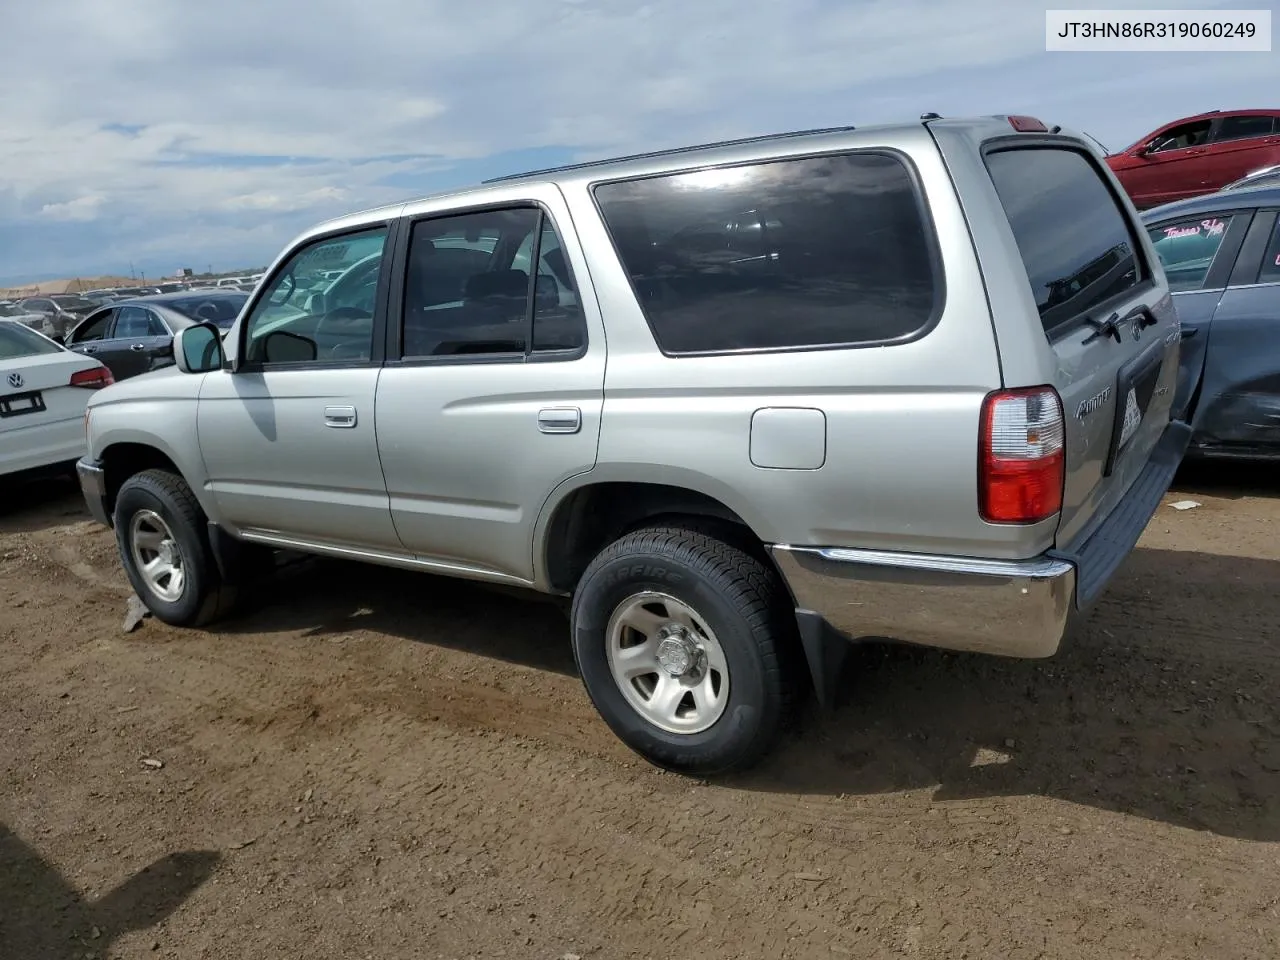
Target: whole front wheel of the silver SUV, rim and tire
pixel 164 546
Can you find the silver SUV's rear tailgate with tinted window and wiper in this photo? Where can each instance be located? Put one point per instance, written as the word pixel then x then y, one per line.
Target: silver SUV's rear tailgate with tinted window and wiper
pixel 1103 309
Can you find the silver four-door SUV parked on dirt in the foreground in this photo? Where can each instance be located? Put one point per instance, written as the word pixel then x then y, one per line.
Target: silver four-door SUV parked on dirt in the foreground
pixel 743 404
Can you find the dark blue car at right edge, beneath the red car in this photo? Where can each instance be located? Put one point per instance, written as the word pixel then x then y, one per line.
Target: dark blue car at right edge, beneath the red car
pixel 1222 254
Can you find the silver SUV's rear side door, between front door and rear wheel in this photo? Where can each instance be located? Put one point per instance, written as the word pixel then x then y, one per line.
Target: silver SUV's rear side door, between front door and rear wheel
pixel 472 449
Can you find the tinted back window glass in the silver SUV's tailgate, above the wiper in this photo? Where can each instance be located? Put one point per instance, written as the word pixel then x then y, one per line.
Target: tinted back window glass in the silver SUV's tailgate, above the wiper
pixel 1076 241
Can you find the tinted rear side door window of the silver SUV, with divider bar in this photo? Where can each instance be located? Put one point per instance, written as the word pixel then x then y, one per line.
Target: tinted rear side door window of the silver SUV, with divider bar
pixel 469 292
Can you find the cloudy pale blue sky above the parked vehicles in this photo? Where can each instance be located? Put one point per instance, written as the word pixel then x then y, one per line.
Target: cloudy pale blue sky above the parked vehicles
pixel 168 134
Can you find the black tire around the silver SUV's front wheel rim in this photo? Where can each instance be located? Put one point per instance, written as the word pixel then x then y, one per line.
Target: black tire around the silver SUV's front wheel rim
pixel 204 596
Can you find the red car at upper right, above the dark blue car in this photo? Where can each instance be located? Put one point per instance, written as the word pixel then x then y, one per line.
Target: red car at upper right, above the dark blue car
pixel 1197 156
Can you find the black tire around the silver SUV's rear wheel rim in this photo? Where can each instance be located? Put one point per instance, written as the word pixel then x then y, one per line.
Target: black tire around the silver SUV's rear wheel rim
pixel 747 607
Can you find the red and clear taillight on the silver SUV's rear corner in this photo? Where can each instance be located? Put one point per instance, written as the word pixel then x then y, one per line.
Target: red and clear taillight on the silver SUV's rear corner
pixel 1022 456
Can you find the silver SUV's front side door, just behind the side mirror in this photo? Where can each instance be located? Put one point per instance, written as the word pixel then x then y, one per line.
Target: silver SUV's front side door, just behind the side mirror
pixel 290 447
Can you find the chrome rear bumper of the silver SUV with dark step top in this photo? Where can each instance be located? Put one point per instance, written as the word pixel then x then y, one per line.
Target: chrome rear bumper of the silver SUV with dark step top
pixel 1012 609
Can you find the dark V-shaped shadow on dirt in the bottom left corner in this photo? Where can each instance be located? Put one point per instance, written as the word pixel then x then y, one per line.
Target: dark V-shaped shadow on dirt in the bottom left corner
pixel 44 918
